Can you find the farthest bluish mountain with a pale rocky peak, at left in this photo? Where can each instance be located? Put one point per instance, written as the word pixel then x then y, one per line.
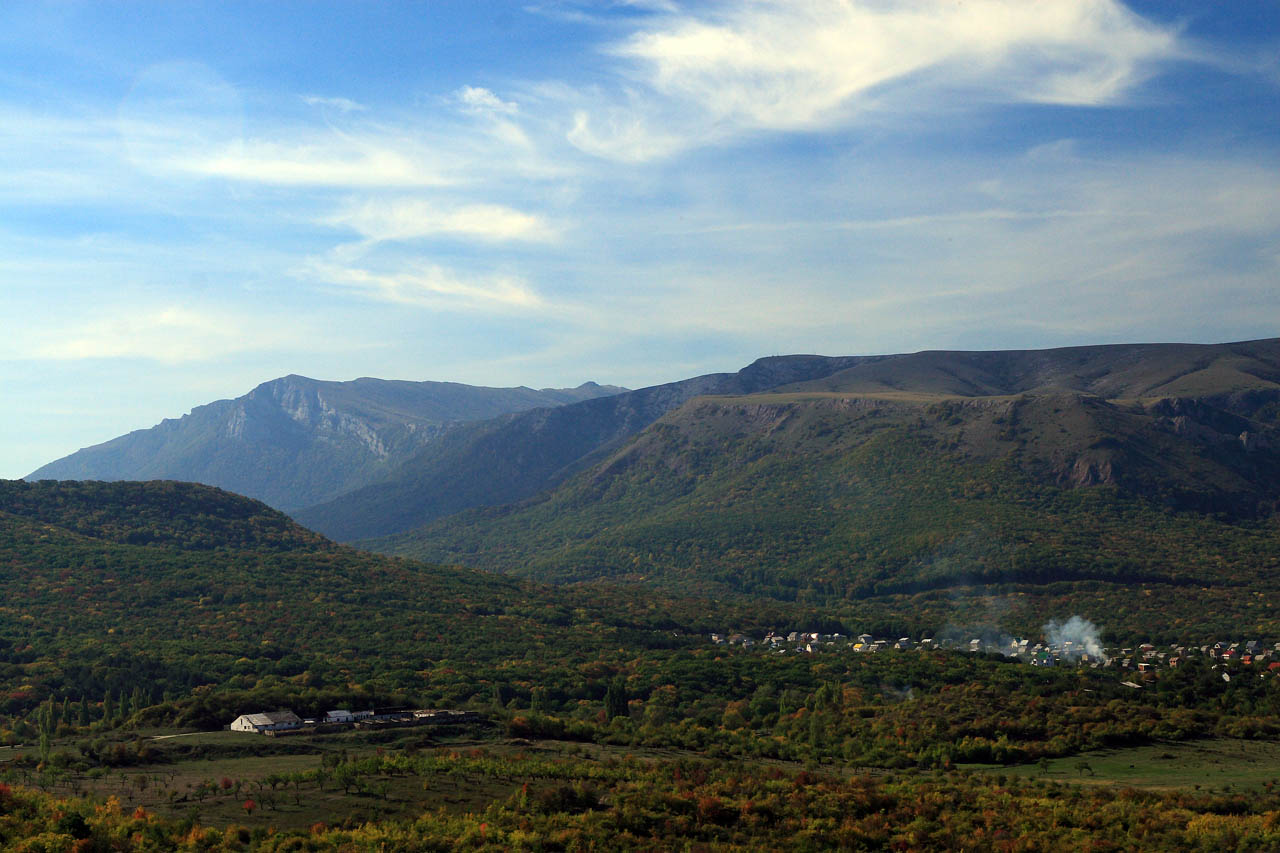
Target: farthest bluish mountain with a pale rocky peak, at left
pixel 295 441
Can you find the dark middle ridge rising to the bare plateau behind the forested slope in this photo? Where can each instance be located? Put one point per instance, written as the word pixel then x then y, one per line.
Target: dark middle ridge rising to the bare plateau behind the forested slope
pixel 500 463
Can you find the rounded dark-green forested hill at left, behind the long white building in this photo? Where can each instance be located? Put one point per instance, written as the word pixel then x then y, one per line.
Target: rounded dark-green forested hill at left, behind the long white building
pixel 189 591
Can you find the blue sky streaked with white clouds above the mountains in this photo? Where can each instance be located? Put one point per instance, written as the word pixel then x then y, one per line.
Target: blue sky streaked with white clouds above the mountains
pixel 198 198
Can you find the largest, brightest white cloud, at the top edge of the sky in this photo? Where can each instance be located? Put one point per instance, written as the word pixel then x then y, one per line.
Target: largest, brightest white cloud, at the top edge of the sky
pixel 807 65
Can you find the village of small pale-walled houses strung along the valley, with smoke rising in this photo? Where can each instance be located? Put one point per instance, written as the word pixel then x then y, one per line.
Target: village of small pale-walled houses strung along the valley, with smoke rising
pixel 1137 664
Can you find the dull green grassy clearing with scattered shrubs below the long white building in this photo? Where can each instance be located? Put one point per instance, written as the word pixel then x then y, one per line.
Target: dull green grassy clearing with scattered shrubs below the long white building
pixel 184 764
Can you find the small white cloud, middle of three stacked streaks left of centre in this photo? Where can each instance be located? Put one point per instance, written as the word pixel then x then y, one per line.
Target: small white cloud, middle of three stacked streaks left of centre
pixel 417 218
